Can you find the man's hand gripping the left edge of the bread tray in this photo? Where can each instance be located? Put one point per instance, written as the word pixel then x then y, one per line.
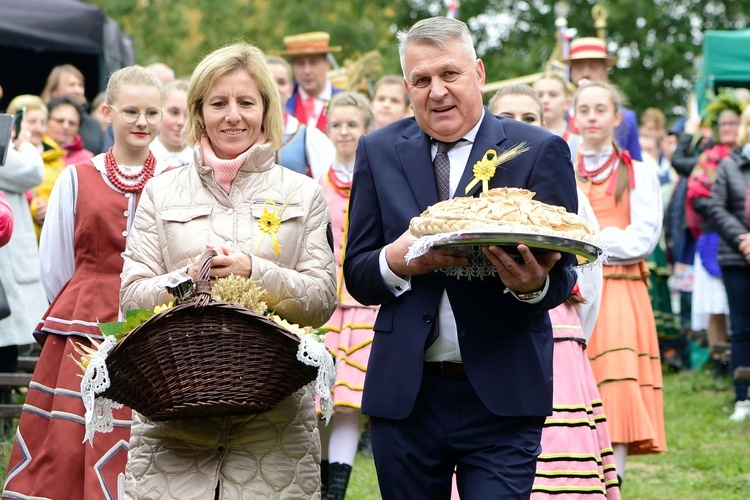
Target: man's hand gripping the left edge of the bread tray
pixel 432 260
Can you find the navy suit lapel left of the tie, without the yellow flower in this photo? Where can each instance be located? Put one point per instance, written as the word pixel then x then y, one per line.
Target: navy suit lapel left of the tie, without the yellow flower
pixel 414 153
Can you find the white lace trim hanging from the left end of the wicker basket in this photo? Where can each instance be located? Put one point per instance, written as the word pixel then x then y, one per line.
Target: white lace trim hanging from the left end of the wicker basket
pixel 95 381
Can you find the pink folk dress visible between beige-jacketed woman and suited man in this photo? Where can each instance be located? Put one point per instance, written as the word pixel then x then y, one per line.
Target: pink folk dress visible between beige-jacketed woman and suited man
pixel 350 328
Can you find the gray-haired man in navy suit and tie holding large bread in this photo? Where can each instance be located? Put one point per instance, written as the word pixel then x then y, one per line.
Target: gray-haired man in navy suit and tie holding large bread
pixel 474 400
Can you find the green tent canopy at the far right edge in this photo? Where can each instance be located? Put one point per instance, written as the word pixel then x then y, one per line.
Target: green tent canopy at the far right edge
pixel 726 63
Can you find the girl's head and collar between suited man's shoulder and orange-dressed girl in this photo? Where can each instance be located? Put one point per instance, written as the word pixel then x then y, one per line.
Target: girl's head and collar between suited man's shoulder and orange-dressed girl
pixel 556 96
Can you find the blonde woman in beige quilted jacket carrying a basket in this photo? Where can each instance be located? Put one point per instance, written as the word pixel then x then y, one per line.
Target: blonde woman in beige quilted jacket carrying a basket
pixel 235 125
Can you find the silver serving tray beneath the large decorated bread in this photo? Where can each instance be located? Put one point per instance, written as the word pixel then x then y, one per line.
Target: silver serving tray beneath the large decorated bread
pixel 586 252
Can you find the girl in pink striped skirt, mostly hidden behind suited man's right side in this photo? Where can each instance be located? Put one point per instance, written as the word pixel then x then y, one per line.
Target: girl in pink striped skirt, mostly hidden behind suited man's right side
pixel 577 458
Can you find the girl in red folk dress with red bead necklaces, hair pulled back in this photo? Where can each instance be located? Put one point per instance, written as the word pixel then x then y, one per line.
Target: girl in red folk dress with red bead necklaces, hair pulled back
pixel 89 216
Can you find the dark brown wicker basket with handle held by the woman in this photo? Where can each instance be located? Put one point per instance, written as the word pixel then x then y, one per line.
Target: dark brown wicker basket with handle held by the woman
pixel 203 359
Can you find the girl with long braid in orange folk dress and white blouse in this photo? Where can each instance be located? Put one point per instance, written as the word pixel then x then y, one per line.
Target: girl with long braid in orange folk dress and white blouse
pixel 624 350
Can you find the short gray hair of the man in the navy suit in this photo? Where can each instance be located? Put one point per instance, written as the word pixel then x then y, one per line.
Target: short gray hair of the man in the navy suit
pixel 435 31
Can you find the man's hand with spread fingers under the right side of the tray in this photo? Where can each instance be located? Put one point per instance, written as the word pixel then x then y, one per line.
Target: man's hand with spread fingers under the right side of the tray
pixel 526 274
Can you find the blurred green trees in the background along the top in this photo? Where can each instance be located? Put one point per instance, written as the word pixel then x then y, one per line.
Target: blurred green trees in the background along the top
pixel 658 41
